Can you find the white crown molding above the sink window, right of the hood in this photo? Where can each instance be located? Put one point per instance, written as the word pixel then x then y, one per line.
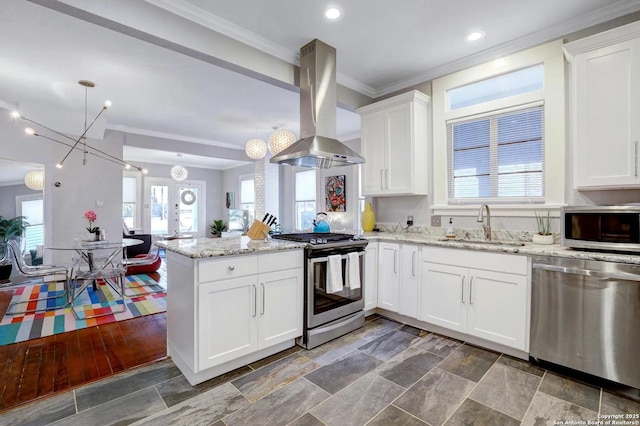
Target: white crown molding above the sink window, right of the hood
pixel 596 17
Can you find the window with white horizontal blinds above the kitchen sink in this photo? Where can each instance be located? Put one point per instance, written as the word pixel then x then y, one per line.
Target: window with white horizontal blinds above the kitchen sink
pixel 497 156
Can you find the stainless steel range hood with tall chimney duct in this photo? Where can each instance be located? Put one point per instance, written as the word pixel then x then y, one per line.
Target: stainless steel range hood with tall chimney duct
pixel 317 147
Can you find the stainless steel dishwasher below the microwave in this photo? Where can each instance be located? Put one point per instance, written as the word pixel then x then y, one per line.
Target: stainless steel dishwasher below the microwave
pixel 586 316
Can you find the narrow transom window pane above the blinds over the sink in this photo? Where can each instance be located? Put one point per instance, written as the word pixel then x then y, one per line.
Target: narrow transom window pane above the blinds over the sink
pixel 511 84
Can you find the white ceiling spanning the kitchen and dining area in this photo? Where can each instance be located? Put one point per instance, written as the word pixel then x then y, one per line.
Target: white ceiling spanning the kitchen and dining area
pixel 181 96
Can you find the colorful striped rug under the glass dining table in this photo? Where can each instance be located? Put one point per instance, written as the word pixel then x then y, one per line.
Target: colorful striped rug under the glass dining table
pixel 21 327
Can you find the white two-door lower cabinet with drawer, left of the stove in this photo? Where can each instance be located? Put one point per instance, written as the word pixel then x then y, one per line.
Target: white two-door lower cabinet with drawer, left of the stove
pixel 242 315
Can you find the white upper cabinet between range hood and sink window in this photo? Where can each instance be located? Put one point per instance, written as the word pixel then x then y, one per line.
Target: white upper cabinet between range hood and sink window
pixel 394 140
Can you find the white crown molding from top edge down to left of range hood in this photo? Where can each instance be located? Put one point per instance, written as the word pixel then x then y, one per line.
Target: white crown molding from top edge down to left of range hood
pixel 227 28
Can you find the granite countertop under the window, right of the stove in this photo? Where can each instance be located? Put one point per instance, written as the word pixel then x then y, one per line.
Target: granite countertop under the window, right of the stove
pixel 515 246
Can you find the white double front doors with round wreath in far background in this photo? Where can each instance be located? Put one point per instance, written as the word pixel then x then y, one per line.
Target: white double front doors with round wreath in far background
pixel 175 207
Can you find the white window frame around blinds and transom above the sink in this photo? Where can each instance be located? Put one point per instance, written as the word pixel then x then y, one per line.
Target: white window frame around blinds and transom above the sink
pixel 553 97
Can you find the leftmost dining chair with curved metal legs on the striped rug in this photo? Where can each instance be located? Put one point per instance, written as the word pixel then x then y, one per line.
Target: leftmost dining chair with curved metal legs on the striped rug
pixel 48 303
